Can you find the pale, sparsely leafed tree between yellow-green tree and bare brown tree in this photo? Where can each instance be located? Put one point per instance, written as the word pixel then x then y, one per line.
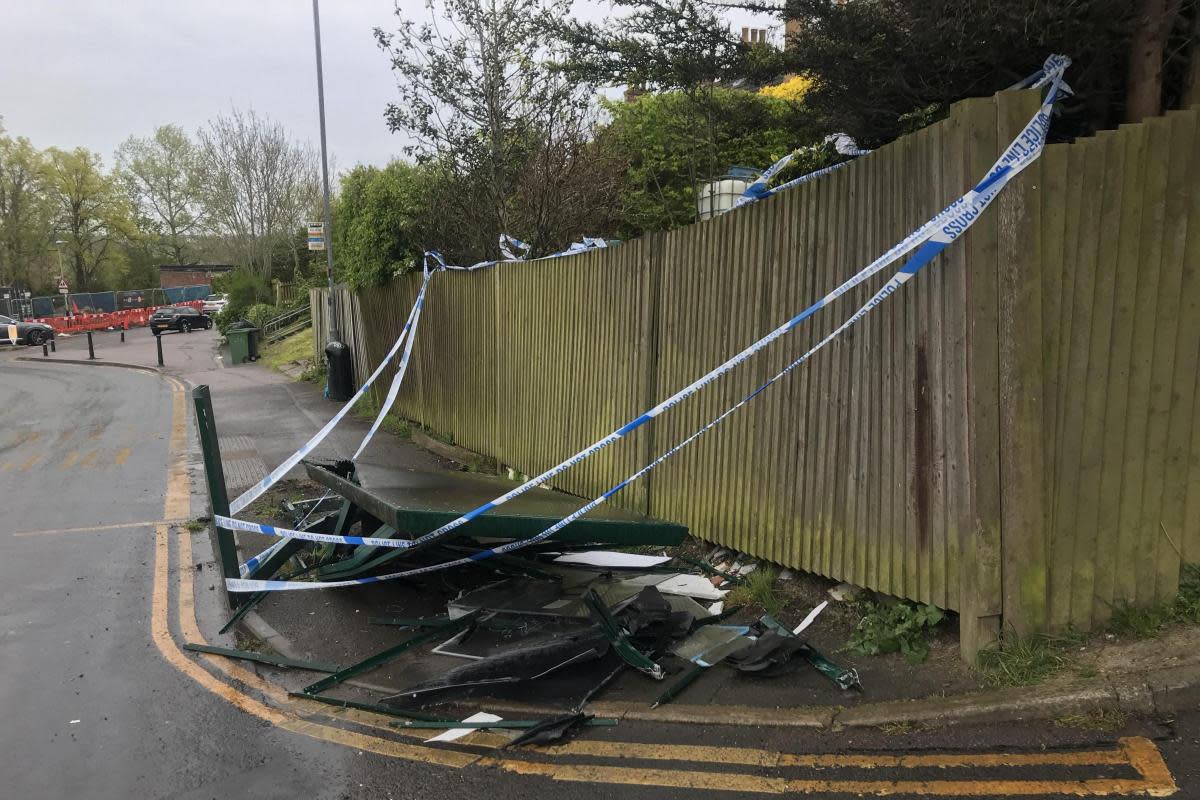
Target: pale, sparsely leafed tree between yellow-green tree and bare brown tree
pixel 161 175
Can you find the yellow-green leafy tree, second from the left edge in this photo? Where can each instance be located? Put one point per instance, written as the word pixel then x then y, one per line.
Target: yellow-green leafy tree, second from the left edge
pixel 92 214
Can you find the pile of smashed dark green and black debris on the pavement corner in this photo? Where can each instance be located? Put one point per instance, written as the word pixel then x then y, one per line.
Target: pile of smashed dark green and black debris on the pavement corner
pixel 554 625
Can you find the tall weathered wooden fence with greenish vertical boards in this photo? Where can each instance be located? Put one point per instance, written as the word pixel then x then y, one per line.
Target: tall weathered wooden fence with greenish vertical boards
pixel 1012 436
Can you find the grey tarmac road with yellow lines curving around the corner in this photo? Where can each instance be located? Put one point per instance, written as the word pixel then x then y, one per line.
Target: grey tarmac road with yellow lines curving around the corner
pixel 95 706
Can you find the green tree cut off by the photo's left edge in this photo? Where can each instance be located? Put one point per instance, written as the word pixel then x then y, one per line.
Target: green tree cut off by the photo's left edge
pixel 26 230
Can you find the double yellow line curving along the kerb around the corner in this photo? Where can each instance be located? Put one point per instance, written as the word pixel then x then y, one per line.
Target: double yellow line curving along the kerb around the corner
pixel 313 720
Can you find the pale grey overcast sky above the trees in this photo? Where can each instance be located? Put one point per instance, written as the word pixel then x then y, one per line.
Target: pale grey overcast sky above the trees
pixel 93 73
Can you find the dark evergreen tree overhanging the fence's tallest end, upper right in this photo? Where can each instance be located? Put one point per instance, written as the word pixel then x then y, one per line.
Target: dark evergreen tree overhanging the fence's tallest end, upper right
pixel 885 67
